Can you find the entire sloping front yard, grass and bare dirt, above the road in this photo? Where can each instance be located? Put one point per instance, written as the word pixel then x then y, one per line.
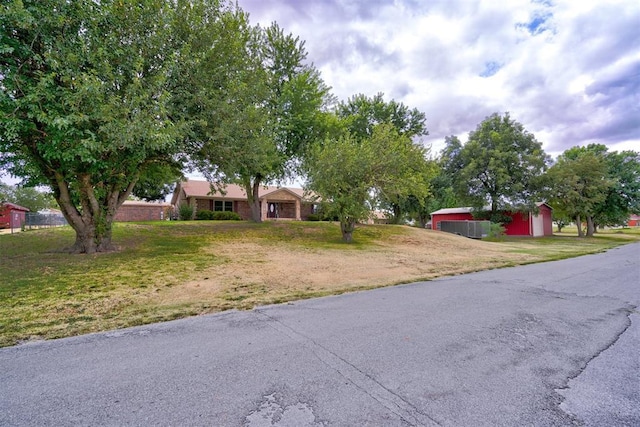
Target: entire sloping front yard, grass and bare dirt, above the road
pixel 168 270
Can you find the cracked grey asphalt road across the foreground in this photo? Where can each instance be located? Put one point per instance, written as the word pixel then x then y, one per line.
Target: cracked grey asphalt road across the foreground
pixel 549 344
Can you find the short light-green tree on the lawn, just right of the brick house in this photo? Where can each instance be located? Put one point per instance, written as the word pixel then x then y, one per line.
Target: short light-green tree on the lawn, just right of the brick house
pixel 349 174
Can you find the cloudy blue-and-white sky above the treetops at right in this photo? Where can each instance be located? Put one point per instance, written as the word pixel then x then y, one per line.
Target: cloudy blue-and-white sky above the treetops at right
pixel 569 71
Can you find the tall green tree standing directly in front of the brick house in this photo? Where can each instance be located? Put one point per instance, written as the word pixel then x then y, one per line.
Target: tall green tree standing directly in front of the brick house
pixel 255 127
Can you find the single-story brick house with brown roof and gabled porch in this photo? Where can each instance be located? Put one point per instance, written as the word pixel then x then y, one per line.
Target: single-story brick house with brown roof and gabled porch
pixel 275 202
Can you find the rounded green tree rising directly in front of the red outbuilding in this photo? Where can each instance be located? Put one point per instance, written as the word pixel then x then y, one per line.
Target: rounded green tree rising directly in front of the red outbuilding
pixel 499 166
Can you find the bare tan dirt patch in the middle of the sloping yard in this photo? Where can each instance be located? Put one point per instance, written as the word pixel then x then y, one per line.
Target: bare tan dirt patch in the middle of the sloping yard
pixel 260 273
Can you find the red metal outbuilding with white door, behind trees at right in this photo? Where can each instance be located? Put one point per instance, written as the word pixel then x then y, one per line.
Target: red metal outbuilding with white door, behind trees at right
pixel 522 224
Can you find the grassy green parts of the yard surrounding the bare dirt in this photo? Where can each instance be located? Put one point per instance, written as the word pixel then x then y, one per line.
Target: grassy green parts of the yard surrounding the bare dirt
pixel 46 294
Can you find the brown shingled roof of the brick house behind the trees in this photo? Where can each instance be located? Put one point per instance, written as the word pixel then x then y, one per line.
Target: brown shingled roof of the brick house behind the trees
pixel 202 189
